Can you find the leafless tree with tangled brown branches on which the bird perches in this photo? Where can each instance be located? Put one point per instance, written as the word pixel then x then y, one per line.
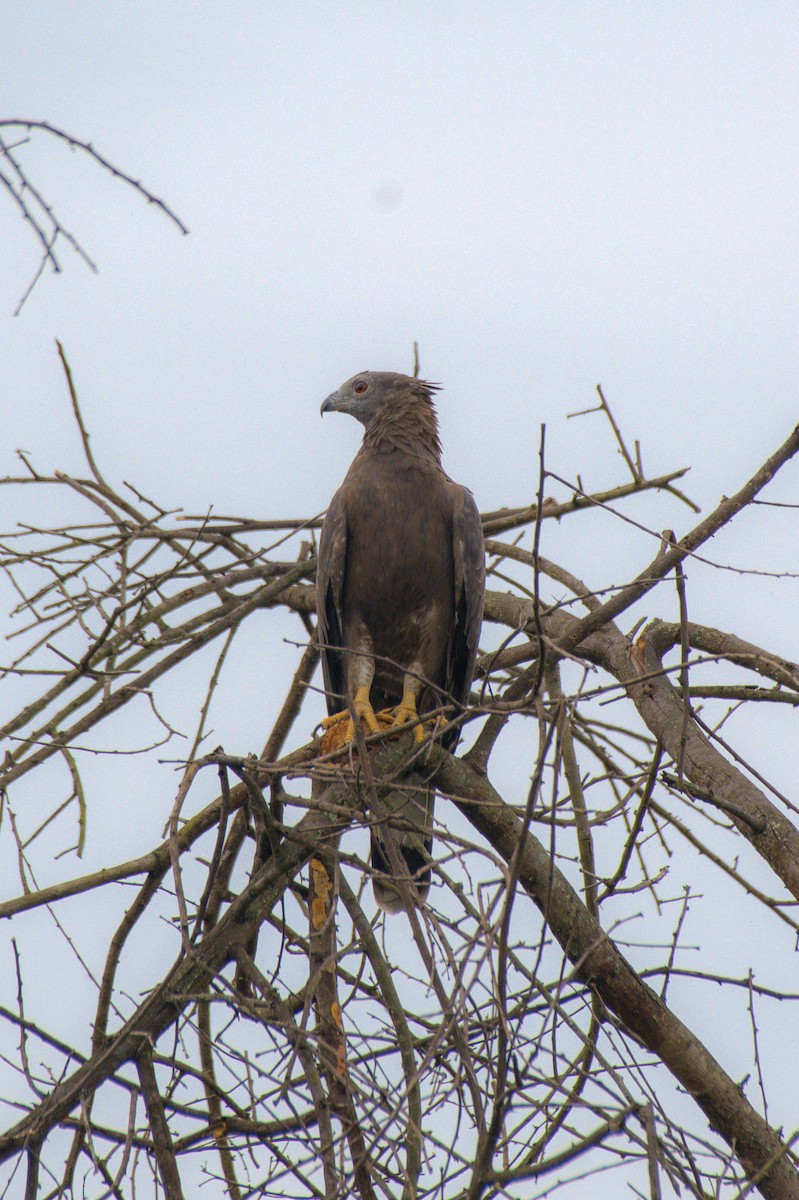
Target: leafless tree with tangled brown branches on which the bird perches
pixel 255 1019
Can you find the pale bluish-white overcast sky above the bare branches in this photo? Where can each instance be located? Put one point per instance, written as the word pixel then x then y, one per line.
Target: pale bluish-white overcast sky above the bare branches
pixel 546 196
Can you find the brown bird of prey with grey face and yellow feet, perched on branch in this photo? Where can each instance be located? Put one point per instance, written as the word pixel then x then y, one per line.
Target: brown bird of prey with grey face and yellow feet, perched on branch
pixel 400 585
